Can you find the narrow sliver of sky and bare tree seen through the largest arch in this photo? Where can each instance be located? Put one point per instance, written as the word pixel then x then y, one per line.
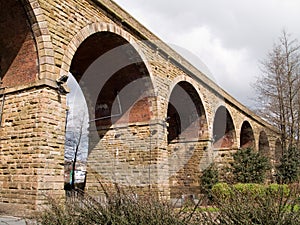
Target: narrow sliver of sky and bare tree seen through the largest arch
pixel 76 136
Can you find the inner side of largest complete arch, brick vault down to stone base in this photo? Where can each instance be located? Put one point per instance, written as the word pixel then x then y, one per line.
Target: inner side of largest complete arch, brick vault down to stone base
pixel 119 95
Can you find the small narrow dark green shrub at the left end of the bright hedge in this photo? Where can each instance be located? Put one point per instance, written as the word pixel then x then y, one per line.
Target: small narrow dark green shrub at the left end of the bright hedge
pixel 208 179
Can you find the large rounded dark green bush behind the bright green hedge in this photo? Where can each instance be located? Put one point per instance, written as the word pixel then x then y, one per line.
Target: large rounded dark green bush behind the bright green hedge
pixel 249 166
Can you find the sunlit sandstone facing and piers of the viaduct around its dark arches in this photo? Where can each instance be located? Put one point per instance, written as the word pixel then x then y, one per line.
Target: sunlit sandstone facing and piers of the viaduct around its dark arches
pixel 33 121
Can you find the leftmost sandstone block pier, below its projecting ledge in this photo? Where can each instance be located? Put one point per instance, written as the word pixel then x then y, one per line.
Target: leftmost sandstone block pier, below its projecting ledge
pixel 32 139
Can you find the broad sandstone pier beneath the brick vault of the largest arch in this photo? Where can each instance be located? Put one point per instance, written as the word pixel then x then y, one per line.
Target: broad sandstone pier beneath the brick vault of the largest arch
pixel 131 156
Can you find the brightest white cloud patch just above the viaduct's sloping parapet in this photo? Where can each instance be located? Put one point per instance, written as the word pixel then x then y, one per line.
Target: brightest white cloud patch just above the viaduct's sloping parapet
pixel 224 64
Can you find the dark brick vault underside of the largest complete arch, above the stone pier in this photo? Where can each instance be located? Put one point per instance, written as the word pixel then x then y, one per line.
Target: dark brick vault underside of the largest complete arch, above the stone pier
pixel 109 69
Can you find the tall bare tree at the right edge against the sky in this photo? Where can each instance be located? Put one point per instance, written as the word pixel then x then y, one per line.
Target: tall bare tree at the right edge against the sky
pixel 278 89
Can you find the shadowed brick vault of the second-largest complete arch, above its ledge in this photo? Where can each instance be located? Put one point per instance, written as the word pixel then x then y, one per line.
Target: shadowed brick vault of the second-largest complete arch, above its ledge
pixel 186 115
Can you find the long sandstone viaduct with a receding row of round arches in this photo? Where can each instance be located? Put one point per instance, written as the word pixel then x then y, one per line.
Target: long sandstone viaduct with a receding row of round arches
pixel 155 121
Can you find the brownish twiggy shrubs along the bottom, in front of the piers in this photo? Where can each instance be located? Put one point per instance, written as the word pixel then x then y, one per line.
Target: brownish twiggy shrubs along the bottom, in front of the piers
pixel 119 208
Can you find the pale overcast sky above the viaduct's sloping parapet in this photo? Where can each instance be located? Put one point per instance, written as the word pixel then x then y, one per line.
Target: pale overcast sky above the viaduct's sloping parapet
pixel 230 37
